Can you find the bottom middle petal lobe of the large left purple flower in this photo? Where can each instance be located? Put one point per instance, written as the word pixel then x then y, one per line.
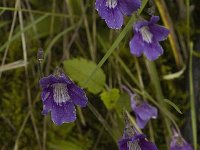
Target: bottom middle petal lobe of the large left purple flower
pixel 63 114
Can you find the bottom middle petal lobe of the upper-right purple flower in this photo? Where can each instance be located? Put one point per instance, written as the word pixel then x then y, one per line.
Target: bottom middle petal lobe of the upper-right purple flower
pixel 152 50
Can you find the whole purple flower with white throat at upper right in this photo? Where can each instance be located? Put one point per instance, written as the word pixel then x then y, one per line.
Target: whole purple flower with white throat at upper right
pixel 147 35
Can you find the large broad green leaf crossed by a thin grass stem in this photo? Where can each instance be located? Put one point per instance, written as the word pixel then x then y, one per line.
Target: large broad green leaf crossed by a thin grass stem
pixel 80 69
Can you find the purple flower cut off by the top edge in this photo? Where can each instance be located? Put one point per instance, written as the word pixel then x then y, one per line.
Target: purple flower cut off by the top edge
pixel 112 11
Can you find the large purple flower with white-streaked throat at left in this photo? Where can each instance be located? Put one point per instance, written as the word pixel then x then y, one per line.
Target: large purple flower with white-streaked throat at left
pixel 59 96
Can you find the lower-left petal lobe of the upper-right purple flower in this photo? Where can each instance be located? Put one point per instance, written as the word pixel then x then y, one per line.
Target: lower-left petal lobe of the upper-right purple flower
pixel 136 45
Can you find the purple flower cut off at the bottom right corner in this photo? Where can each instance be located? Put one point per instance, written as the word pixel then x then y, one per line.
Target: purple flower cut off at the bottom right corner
pixel 179 143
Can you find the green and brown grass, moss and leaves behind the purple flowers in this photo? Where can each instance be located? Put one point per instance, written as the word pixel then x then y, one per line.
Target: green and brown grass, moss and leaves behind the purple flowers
pixel 74 37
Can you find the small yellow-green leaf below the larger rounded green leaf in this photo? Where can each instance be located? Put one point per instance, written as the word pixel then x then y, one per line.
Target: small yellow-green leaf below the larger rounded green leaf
pixel 110 98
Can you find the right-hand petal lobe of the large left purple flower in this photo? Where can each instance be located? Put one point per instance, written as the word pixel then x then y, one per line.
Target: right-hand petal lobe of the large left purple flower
pixel 77 95
